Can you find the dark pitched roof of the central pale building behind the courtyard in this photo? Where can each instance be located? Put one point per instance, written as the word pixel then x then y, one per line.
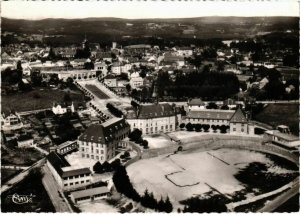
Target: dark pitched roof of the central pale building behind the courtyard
pixel 151 111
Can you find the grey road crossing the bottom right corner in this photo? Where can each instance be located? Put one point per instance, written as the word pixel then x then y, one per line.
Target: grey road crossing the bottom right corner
pixel 281 199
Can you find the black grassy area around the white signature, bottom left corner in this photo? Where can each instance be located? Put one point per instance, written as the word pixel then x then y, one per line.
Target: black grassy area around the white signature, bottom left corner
pixel 30 185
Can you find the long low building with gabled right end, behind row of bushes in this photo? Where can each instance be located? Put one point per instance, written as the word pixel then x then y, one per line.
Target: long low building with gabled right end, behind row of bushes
pixel 235 120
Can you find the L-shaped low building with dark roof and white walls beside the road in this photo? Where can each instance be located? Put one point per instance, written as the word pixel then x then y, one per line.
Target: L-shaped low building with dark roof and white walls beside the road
pixel 68 177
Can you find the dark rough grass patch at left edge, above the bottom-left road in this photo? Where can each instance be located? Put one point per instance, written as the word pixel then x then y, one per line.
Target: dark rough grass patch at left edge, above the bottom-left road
pixel 21 157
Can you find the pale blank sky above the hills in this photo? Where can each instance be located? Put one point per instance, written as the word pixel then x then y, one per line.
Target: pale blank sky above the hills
pixel 147 9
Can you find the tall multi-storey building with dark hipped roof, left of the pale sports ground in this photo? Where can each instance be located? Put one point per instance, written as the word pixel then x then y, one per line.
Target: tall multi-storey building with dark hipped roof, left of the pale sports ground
pixel 99 141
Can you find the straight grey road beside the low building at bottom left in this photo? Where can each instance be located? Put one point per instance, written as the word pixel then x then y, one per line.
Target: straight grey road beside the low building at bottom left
pixel 54 191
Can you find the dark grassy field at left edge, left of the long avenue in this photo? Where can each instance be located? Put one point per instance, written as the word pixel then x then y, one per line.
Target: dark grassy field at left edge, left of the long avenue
pixel 37 99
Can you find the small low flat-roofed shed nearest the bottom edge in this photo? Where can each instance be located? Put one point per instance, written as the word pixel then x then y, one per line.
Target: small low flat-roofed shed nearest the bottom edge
pixel 89 194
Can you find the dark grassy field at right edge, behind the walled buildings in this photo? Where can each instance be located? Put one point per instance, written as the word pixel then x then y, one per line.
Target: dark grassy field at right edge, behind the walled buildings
pixel 278 114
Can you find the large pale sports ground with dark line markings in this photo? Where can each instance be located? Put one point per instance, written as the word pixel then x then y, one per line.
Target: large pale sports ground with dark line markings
pixel 188 174
